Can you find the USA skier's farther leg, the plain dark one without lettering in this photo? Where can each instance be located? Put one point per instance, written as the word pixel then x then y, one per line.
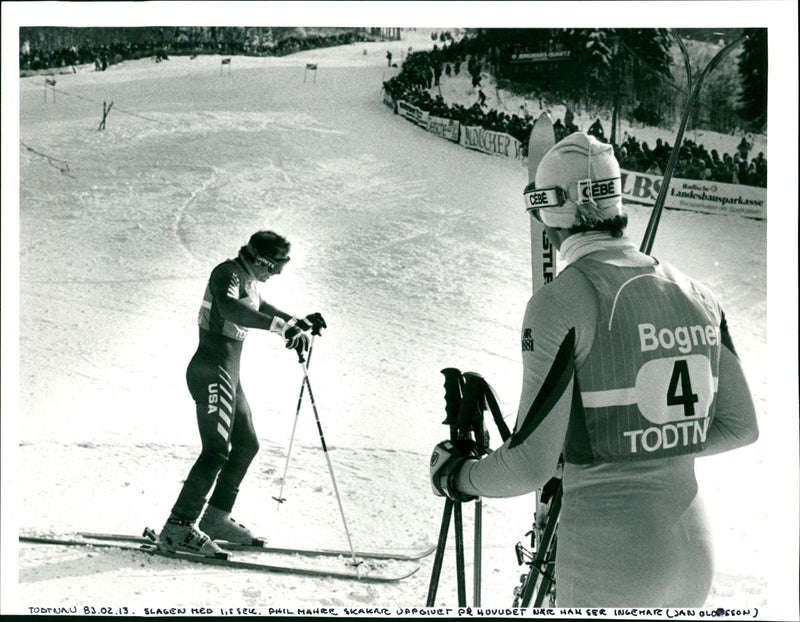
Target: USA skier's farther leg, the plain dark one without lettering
pixel 244 447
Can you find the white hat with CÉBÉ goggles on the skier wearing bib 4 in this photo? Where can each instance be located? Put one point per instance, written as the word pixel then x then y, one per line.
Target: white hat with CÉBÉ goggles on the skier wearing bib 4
pixel 577 183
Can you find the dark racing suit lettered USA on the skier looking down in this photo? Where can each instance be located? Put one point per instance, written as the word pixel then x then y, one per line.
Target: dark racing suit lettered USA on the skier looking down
pixel 229 441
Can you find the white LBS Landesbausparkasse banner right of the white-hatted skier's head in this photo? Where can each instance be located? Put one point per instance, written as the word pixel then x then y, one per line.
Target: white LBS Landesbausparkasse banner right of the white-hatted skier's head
pixel 708 197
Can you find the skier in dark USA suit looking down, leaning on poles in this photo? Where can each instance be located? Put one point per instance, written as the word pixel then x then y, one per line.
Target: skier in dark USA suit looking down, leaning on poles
pixel 231 305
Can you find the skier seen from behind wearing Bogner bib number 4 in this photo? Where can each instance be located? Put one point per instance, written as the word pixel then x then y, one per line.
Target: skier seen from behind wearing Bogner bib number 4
pixel 629 372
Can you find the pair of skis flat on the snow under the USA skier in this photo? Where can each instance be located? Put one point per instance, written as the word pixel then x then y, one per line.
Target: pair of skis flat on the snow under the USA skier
pixel 146 543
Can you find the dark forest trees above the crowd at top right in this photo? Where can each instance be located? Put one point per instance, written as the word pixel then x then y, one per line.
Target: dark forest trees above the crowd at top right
pixel 637 72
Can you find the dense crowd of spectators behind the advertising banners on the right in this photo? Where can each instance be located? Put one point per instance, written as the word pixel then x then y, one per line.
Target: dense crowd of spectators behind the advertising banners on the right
pixel 422 71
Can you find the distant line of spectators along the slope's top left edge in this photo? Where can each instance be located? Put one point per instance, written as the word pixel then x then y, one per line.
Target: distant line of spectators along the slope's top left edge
pixel 232 41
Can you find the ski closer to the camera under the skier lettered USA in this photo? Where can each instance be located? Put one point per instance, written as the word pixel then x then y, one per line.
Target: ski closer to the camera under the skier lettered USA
pixel 368 575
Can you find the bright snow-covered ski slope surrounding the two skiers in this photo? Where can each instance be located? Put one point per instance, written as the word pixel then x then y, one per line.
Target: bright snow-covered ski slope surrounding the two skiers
pixel 416 252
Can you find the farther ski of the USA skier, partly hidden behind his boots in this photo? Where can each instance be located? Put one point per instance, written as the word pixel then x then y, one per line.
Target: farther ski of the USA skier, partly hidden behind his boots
pixel 260 546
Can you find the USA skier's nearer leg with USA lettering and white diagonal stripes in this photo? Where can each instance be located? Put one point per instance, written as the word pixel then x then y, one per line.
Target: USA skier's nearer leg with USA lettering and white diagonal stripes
pixel 212 386
